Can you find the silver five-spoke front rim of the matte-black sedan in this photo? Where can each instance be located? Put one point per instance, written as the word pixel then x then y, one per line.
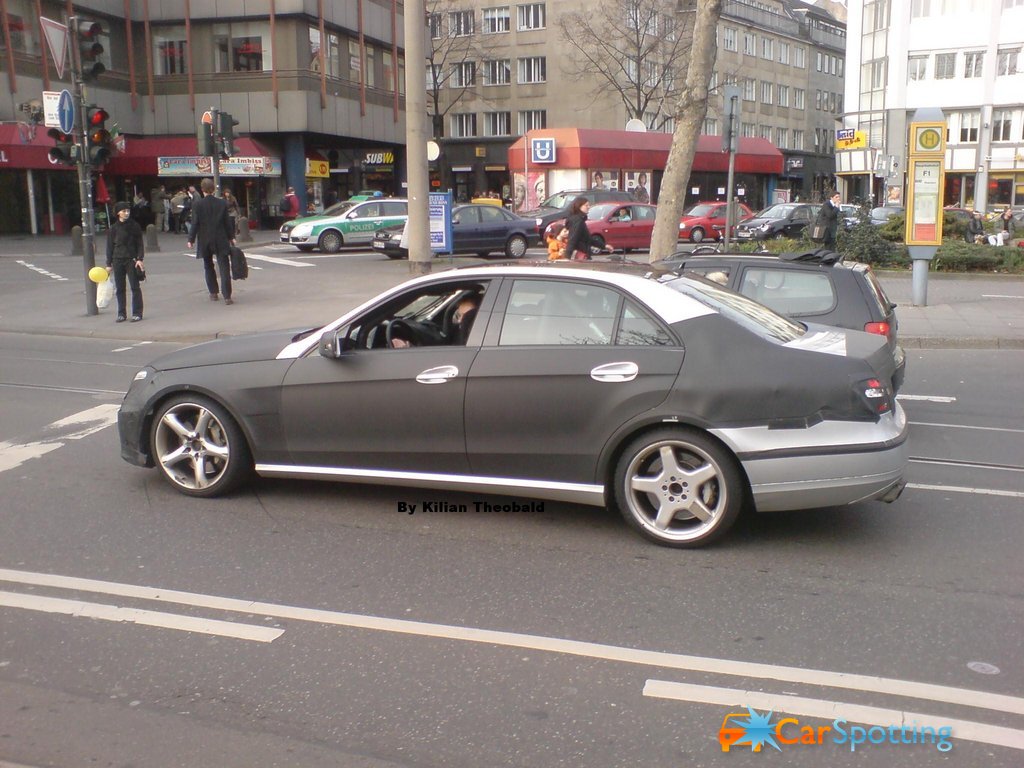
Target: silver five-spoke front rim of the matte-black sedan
pixel 192 447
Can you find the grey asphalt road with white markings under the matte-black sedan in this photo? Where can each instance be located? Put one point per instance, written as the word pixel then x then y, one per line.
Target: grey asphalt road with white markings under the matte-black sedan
pixel 317 625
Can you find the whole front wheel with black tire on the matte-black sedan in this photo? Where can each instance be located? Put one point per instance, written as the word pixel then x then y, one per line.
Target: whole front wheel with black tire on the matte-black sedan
pixel 198 448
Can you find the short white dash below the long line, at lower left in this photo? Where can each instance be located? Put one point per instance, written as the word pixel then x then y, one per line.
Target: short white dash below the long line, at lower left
pixel 139 616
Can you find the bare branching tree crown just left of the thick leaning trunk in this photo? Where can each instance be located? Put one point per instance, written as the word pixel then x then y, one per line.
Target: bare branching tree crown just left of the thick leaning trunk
pixel 636 48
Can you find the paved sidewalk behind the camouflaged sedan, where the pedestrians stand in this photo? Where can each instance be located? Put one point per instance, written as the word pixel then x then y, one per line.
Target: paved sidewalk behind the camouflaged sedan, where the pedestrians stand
pixel 964 312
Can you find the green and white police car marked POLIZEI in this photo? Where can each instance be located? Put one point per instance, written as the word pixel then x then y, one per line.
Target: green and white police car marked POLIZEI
pixel 346 224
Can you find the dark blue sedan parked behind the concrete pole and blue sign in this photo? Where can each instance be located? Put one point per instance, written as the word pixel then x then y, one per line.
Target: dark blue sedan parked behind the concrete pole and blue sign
pixel 481 229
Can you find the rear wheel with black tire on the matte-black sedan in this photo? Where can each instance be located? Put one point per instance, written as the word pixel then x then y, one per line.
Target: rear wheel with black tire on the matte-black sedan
pixel 691 504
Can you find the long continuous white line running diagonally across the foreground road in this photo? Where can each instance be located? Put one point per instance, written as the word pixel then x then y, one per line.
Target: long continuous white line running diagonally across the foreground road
pixel 869 684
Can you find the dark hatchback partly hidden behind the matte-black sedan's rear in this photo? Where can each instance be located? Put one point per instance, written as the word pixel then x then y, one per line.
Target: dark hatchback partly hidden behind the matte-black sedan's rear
pixel 809 287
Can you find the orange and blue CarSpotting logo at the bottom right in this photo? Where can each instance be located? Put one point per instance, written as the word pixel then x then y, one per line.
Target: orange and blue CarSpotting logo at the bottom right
pixel 753 730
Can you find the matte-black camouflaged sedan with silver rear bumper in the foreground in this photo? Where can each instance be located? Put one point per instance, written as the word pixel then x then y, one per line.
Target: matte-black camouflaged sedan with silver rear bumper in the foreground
pixel 673 400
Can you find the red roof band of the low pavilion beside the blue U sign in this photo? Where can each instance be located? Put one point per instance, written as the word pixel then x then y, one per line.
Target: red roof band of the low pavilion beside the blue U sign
pixel 581 148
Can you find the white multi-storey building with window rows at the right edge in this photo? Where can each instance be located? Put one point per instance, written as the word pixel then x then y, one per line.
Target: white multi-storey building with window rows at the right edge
pixel 963 57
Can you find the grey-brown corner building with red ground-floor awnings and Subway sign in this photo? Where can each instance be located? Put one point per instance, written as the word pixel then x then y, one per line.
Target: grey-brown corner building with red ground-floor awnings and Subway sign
pixel 317 87
